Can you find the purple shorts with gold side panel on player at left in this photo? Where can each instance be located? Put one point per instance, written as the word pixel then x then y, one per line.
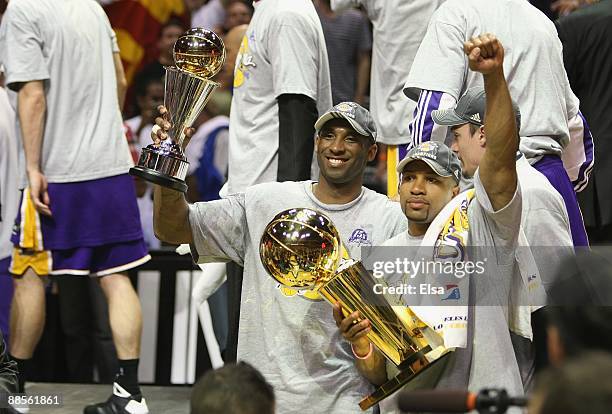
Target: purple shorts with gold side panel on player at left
pixel 95 230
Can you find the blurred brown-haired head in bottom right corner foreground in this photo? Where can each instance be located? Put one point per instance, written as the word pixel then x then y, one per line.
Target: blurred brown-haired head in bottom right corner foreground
pixel 582 385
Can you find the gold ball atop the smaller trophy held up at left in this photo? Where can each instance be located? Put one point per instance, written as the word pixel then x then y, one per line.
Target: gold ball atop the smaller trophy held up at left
pixel 199 52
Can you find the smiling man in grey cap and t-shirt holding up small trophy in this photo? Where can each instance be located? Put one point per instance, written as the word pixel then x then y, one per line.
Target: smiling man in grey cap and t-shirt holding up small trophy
pixel 291 336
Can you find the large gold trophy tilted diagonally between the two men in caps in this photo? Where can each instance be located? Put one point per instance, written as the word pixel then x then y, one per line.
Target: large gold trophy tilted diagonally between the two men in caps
pixel 301 249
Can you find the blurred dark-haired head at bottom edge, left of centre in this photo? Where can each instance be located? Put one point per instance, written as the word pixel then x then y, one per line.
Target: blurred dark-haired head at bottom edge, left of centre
pixel 232 389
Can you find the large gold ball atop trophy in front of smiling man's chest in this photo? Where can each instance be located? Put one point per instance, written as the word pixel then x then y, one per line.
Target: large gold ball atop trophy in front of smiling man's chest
pixel 300 248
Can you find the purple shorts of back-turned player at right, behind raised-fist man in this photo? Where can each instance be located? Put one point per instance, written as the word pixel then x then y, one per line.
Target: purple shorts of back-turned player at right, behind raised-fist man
pixel 552 167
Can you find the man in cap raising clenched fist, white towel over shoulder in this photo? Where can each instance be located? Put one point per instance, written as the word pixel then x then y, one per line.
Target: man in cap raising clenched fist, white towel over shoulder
pixel 430 173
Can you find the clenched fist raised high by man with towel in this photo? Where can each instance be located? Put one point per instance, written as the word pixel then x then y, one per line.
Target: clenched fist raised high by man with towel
pixel 485 54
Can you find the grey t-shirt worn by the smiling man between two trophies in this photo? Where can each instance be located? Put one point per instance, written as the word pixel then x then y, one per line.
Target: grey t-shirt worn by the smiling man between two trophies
pixel 292 340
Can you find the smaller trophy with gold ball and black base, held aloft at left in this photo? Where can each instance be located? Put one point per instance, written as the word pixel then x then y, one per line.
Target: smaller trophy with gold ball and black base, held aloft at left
pixel 199 55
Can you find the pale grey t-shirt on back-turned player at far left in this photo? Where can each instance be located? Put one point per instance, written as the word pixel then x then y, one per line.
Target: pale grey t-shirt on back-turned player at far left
pixel 69 44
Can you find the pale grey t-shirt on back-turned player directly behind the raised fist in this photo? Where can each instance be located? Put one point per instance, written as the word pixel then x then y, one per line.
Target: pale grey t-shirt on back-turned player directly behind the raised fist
pixel 533 65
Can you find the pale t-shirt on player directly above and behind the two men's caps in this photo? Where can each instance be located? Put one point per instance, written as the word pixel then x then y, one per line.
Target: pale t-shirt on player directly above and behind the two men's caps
pixel 399 27
